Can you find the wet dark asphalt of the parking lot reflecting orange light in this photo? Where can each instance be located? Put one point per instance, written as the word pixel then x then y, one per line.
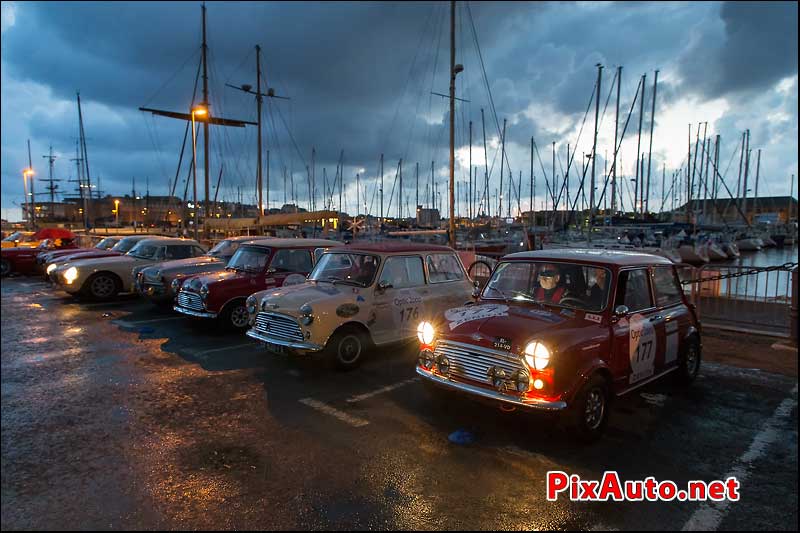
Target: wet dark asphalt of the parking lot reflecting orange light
pixel 121 415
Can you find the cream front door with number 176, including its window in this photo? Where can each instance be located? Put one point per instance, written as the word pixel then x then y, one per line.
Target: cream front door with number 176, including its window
pixel 401 304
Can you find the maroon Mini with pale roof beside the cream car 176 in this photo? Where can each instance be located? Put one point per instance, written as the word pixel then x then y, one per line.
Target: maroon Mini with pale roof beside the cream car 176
pixel 256 265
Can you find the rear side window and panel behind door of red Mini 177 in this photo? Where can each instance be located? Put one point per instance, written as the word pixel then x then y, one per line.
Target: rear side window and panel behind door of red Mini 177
pixel 672 319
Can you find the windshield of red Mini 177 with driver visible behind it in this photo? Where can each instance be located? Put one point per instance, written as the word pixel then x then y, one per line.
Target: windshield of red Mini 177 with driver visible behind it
pixel 549 283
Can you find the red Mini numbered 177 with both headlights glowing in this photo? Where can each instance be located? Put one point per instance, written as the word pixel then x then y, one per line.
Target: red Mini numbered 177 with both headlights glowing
pixel 565 331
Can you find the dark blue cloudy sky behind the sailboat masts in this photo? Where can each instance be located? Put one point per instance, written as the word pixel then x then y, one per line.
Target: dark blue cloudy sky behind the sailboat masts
pixel 360 77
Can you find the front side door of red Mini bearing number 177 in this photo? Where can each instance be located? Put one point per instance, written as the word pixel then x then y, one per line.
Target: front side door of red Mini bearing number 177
pixel 636 333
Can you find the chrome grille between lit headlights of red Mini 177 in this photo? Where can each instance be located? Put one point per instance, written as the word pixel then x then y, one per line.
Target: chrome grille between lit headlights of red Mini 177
pixel 473 362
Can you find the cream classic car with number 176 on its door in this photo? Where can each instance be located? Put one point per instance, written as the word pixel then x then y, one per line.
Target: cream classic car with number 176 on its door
pixel 358 297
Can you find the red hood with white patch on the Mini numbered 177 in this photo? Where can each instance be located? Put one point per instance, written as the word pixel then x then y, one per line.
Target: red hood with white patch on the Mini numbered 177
pixel 485 323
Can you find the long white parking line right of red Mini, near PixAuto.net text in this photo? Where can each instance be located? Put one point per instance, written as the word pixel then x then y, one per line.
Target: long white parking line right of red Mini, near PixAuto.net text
pixel 709 516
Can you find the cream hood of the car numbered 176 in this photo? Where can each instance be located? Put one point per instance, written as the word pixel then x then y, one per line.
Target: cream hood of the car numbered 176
pixel 290 298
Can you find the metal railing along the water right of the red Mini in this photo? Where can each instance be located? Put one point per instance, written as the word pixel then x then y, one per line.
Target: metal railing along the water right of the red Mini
pixel 744 298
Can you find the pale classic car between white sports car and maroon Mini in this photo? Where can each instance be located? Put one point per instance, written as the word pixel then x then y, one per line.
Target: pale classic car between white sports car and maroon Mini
pixel 154 282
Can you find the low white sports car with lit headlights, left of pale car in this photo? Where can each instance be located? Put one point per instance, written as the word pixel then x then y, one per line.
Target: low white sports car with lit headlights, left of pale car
pixel 102 278
